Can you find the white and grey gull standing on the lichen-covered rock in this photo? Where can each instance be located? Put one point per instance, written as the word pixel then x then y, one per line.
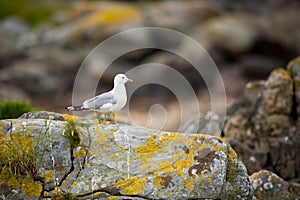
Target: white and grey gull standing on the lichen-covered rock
pixel 108 102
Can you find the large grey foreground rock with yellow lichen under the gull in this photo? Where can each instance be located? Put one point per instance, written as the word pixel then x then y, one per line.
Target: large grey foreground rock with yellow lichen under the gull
pixel 118 160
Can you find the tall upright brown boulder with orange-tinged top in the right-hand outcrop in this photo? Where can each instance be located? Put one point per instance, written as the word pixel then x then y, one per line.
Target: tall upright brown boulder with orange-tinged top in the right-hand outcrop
pixel 273 113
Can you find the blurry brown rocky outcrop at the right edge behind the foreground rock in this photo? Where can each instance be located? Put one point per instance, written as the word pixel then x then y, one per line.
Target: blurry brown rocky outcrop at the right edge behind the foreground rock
pixel 263 125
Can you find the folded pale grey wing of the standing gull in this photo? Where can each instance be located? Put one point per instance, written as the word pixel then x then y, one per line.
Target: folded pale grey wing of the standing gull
pixel 100 100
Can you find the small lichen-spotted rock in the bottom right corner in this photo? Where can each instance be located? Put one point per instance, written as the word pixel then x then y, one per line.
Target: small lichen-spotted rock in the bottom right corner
pixel 267 185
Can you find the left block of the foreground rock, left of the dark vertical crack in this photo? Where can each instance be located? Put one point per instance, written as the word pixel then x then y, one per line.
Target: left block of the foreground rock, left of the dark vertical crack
pixel 37 141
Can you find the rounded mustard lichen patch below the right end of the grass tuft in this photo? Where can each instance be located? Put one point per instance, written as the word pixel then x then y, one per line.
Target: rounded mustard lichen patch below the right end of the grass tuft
pixel 31 188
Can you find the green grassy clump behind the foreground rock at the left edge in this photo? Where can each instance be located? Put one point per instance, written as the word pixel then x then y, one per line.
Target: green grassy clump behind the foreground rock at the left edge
pixel 14 109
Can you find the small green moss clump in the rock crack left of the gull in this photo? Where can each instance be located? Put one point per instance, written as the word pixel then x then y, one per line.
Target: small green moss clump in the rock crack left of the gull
pixel 72 133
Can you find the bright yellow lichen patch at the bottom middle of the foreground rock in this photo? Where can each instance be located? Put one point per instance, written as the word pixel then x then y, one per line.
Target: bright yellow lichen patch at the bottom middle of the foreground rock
pixel 132 186
